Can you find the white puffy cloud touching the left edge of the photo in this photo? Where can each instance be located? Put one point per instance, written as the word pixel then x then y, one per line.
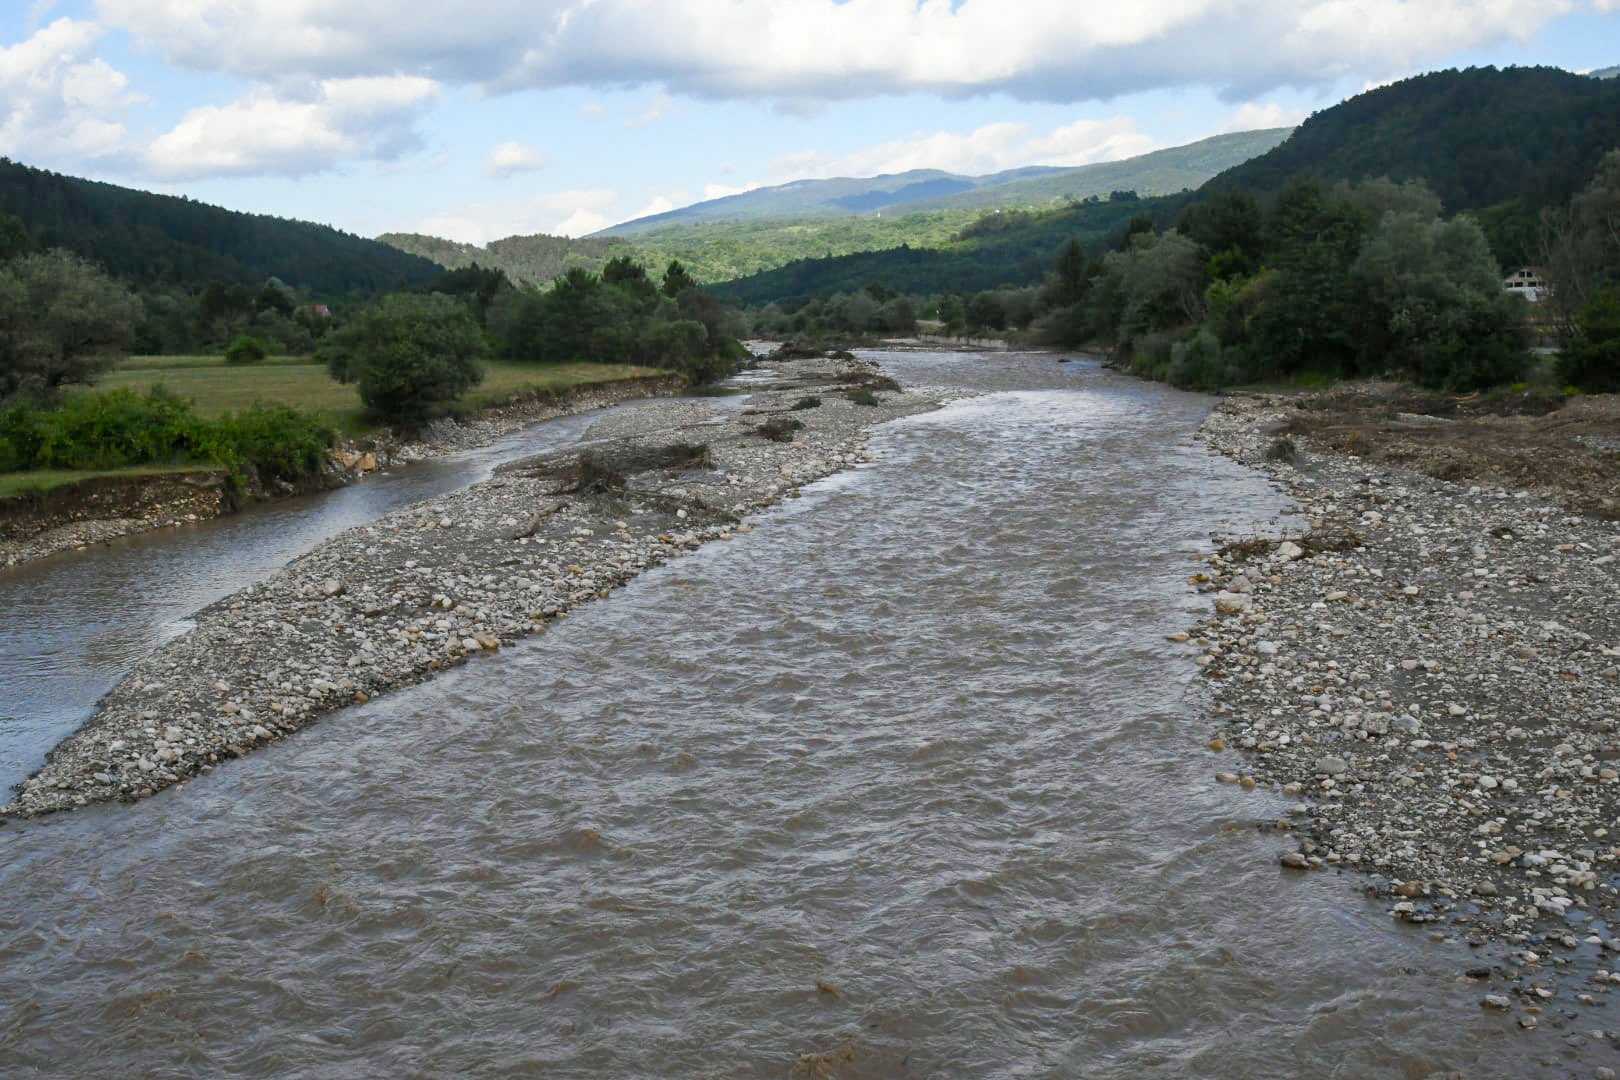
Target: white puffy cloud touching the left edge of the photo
pixel 59 101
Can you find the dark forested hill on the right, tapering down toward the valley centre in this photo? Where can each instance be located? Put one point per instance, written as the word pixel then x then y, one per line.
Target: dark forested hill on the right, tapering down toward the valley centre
pixel 1504 145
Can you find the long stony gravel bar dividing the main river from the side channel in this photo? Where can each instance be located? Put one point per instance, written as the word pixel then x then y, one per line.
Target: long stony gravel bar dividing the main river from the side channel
pixel 463 576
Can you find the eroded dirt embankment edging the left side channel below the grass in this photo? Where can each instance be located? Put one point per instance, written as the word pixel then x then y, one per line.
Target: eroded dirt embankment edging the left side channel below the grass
pixel 35 525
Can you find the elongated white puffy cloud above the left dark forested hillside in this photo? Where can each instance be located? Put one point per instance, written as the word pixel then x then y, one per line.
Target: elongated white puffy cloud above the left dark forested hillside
pixel 265 134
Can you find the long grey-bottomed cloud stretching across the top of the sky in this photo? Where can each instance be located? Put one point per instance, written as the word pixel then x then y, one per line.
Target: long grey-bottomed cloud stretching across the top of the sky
pixel 814 51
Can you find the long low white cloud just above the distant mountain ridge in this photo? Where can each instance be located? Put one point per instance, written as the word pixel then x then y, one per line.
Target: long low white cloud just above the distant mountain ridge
pixel 987 150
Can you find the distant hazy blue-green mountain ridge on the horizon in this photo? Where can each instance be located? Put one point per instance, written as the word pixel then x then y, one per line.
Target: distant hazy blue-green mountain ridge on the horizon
pixel 1161 172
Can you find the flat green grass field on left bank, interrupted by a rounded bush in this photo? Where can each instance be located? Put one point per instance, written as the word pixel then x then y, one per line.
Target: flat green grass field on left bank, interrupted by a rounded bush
pixel 218 388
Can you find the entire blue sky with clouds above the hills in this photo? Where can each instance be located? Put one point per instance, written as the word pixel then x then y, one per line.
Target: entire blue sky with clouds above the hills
pixel 509 117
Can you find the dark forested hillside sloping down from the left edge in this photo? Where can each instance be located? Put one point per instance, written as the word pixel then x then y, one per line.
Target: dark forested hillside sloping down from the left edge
pixel 158 240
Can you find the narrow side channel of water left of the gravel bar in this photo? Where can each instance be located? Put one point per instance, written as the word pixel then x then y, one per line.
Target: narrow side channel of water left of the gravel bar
pixel 75 624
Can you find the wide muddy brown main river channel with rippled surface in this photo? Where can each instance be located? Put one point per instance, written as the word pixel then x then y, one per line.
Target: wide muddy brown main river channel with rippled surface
pixel 908 778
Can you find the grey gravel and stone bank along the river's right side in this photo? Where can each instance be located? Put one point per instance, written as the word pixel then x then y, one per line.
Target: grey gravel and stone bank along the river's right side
pixel 1431 673
